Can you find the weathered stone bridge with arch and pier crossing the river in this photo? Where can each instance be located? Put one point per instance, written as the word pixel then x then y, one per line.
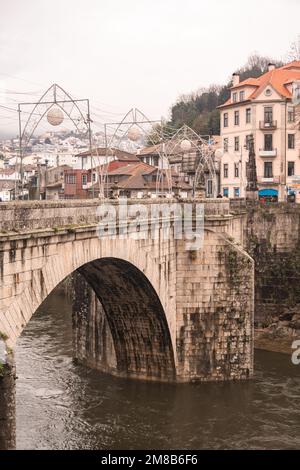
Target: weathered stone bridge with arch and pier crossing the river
pixel 144 306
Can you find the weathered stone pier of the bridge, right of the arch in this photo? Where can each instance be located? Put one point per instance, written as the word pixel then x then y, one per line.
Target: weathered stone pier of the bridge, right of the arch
pixel 214 311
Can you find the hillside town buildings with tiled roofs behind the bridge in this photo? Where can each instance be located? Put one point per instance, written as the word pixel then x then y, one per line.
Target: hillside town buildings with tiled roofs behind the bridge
pixel 63 165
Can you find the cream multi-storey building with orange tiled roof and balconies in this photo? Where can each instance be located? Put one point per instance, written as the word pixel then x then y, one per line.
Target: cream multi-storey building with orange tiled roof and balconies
pixel 264 108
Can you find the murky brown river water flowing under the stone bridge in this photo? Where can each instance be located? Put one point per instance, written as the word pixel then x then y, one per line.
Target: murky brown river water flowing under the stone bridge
pixel 65 406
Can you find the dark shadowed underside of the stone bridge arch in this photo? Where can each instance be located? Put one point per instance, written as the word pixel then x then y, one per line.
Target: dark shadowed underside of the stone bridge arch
pixel 135 316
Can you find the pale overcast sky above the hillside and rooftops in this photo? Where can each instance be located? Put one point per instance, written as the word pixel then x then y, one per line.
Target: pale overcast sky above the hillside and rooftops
pixel 135 53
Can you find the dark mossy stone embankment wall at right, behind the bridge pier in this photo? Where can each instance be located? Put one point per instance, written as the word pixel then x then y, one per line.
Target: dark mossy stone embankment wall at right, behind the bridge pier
pixel 272 235
